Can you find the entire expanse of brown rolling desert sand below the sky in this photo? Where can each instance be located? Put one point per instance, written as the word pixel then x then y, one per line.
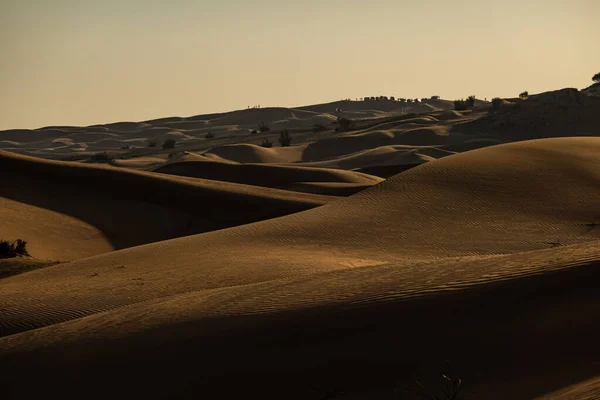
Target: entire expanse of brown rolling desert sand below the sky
pixel 349 265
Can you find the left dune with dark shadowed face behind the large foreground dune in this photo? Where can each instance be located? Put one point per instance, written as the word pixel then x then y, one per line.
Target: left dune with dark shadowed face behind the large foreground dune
pixel 68 211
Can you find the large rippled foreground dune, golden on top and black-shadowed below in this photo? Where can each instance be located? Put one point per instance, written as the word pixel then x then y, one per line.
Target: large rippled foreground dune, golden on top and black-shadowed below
pixel 473 258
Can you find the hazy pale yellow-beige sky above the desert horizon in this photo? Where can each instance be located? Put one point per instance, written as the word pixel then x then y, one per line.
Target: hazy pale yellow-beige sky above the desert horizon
pixel 80 62
